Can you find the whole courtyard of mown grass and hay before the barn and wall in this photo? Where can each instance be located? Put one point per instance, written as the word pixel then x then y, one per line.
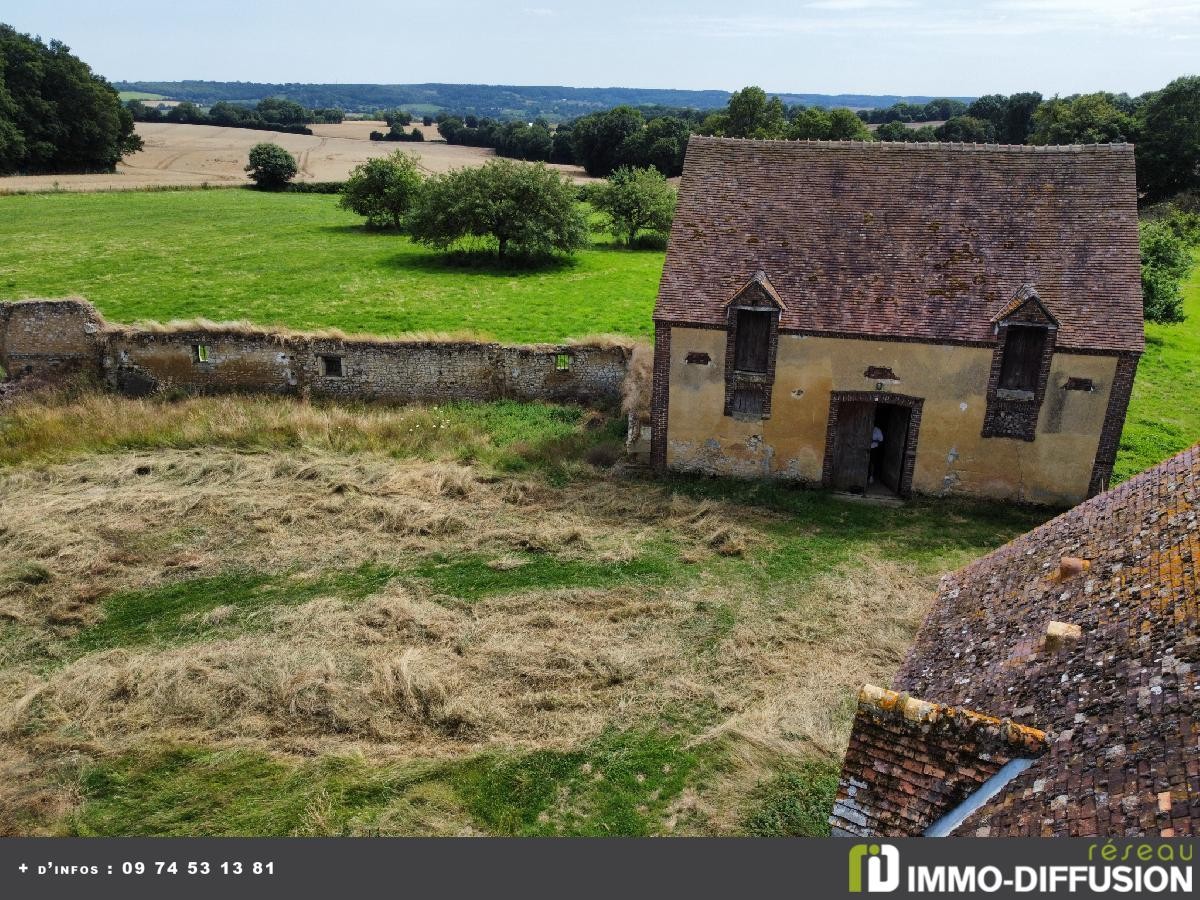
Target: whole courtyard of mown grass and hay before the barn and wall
pixel 251 616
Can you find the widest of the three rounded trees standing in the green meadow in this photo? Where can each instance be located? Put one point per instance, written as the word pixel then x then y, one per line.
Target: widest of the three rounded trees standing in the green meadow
pixel 527 208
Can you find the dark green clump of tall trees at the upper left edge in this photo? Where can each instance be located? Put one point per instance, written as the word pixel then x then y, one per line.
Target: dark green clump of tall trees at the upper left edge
pixel 56 115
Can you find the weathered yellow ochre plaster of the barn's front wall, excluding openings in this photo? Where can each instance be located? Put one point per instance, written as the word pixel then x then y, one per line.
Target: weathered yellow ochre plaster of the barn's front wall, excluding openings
pixel 952 458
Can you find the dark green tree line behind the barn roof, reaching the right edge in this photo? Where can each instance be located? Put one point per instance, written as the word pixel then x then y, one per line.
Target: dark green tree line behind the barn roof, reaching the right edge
pixel 1165 125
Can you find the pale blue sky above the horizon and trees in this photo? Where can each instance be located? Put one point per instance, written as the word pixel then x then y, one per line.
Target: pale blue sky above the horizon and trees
pixel 807 46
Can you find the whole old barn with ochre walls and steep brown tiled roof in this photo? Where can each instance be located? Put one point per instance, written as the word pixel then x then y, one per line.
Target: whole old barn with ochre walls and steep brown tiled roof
pixel 896 319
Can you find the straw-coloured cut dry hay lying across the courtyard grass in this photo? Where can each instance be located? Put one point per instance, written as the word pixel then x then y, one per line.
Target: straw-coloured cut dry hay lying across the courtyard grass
pixel 411 673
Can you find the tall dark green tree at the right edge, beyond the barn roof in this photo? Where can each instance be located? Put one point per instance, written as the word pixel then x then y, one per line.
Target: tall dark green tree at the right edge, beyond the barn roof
pixel 1169 148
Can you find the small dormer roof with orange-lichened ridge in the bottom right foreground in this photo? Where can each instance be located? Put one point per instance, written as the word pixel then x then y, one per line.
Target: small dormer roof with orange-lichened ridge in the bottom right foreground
pixel 911 763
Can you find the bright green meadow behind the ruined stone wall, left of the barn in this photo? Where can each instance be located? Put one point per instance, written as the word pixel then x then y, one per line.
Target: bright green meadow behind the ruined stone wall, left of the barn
pixel 299 261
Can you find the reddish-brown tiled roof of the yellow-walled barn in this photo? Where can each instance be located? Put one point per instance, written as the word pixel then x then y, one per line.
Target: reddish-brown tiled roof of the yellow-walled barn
pixel 922 242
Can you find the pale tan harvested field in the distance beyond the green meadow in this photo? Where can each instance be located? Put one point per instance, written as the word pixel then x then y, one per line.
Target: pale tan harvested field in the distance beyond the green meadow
pixel 194 155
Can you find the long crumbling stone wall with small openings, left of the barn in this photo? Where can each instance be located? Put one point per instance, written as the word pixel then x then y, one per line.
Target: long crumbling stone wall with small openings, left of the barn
pixel 55 339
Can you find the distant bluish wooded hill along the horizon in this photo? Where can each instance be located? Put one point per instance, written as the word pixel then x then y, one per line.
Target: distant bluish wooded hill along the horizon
pixel 501 101
